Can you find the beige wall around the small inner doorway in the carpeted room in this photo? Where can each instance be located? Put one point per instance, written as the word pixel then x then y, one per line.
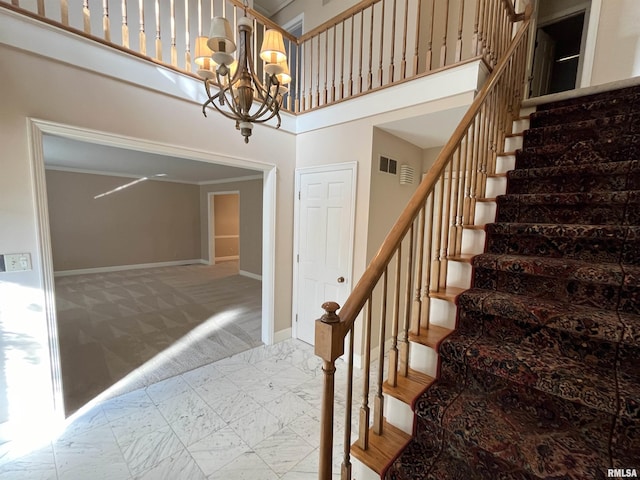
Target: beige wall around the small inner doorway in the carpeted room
pixel 250 198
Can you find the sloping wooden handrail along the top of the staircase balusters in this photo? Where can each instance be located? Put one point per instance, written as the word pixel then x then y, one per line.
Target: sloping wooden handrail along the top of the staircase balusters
pixel 369 279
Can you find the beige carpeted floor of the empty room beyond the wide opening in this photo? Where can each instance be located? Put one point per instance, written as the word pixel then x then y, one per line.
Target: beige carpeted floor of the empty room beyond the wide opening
pixel 151 324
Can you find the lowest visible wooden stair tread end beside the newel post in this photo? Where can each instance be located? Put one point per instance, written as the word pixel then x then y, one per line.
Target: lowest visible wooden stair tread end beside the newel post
pixel 383 449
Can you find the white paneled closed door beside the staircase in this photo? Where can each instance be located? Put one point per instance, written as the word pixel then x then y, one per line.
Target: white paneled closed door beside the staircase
pixel 324 246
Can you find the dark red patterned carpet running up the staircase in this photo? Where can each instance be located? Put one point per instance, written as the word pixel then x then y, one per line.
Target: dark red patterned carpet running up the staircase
pixel 541 379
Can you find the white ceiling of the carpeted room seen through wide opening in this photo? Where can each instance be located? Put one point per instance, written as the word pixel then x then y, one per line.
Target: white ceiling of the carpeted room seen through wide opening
pixel 64 153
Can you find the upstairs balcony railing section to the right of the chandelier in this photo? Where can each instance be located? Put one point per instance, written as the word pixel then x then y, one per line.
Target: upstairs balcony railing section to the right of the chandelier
pixel 377 43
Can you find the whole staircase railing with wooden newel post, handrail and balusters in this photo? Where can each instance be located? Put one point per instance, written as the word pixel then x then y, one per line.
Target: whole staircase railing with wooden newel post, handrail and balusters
pixel 414 256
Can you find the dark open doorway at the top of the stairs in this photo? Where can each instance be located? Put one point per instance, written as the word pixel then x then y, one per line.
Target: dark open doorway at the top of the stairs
pixel 558 55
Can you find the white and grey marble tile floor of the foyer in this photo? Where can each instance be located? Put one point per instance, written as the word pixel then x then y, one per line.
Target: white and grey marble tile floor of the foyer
pixel 254 415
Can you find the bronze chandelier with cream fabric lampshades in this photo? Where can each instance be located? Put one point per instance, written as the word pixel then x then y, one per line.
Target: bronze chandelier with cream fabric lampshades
pixel 233 86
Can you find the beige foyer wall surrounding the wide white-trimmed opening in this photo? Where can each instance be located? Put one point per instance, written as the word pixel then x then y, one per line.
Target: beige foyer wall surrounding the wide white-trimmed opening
pixel 78 97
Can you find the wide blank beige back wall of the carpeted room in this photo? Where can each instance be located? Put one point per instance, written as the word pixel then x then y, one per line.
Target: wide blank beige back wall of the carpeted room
pixel 150 222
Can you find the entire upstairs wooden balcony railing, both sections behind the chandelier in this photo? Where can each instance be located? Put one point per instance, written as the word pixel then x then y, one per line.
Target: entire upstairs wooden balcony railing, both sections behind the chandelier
pixel 372 45
